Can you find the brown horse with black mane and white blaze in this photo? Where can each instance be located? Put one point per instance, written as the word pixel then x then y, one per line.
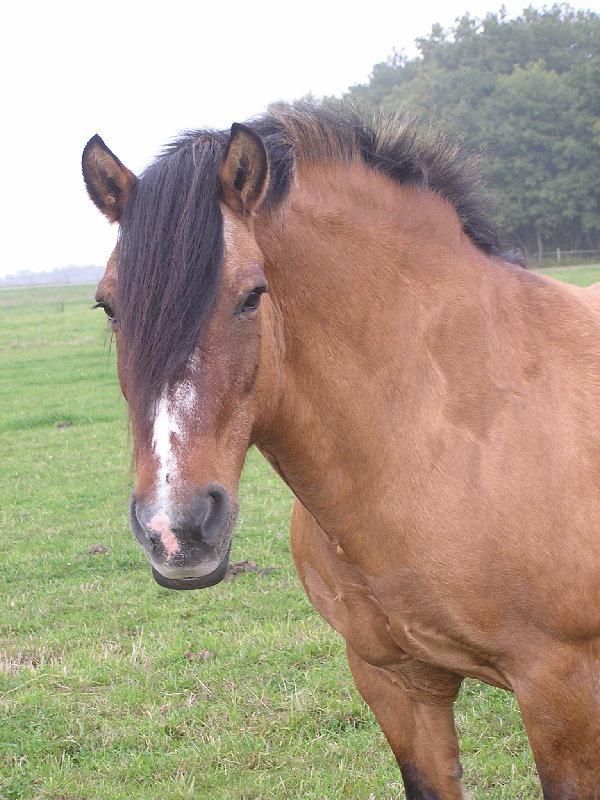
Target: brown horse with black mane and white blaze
pixel 334 293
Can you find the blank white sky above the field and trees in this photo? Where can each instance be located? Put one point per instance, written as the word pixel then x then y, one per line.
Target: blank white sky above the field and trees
pixel 139 72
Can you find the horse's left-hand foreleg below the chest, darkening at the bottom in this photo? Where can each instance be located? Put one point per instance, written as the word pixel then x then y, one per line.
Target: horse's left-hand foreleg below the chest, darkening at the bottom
pixel 421 734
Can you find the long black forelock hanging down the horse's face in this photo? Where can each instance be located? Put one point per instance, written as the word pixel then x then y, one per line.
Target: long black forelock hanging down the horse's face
pixel 169 264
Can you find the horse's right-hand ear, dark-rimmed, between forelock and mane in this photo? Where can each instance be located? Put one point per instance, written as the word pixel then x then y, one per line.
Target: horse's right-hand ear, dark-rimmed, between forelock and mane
pixel 244 171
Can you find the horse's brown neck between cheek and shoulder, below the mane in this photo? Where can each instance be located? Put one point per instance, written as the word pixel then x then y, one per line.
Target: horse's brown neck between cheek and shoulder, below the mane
pixel 382 301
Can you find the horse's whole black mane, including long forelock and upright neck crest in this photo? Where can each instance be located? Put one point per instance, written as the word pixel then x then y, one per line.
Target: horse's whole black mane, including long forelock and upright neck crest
pixel 171 244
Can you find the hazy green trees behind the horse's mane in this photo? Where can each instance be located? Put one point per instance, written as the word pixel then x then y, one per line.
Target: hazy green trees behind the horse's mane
pixel 527 92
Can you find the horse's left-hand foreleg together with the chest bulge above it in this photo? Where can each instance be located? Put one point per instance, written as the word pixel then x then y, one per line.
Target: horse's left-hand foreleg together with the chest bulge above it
pixel 411 700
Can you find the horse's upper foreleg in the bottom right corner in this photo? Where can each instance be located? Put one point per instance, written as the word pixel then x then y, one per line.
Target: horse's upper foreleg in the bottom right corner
pixel 559 698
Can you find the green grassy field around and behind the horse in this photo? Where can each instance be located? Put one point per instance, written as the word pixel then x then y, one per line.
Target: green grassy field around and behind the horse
pixel 112 688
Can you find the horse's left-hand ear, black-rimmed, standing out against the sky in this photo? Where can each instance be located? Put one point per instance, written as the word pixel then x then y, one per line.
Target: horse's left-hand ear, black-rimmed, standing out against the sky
pixel 108 182
